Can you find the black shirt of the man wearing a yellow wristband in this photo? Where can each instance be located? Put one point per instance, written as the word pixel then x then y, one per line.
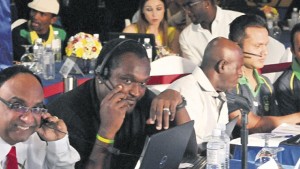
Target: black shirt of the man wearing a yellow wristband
pixel 80 107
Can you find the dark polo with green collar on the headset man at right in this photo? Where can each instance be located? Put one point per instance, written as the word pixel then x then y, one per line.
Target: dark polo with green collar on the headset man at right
pixel 263 101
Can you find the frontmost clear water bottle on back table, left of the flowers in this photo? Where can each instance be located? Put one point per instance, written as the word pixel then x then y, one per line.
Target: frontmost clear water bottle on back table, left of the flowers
pixel 48 63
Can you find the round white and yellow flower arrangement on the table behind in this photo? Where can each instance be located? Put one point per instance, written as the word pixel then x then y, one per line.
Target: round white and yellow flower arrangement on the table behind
pixel 84 45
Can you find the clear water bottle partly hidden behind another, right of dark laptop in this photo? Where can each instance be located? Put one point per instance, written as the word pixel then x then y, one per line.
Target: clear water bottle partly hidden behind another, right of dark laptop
pixel 226 140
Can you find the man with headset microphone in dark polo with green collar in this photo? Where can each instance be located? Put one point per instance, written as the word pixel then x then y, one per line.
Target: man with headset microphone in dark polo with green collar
pixel 251 33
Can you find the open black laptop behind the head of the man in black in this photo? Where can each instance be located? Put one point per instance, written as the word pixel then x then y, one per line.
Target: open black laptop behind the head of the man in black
pixel 135 36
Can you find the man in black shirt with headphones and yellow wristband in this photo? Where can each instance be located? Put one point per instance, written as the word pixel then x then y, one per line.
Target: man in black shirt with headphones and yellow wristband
pixel 107 115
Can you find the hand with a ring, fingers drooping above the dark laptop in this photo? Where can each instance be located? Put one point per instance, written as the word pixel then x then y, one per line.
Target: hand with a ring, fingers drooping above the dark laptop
pixel 163 108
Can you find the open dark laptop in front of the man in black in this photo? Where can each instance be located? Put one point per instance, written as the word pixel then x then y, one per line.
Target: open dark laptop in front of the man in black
pixel 165 149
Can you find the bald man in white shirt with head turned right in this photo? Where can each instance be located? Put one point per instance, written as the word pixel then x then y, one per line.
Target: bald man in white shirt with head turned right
pixel 204 88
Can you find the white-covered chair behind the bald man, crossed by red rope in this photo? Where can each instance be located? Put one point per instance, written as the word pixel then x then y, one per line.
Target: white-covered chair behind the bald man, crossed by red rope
pixel 166 70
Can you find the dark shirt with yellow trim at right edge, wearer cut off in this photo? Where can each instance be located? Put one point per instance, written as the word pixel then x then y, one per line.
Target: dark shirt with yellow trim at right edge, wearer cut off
pixel 287 89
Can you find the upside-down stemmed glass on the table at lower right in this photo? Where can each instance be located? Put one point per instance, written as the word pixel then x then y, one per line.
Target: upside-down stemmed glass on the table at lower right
pixel 267 152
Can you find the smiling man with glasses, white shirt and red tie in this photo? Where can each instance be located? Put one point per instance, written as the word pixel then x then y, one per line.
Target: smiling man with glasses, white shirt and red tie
pixel 27 132
